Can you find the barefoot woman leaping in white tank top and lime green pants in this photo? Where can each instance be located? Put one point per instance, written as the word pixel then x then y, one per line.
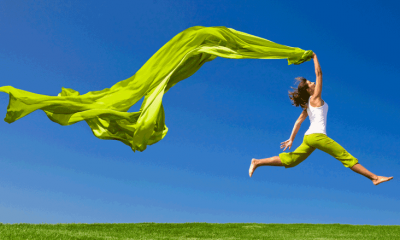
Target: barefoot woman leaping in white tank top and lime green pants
pixel 308 96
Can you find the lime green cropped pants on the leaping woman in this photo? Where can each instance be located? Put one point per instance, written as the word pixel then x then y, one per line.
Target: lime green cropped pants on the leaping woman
pixel 323 143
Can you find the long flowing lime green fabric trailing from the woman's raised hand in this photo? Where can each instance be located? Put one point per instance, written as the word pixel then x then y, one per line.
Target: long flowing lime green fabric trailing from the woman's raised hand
pixel 105 111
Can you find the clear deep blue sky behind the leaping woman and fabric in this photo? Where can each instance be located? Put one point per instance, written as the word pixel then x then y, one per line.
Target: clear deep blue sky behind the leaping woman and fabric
pixel 230 111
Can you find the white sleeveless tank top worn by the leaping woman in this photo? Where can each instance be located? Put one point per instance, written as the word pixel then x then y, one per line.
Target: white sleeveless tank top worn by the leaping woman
pixel 317 117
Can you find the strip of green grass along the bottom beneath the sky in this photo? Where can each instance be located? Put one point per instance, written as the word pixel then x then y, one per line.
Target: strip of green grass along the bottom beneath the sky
pixel 196 231
